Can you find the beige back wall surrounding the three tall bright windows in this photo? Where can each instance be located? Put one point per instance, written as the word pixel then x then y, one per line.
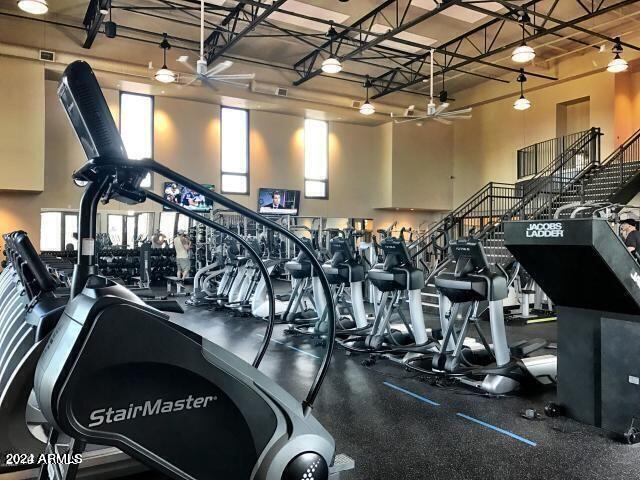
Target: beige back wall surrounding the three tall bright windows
pixel 187 140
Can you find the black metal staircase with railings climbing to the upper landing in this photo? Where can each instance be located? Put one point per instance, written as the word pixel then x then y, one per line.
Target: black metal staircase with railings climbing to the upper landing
pixel 576 175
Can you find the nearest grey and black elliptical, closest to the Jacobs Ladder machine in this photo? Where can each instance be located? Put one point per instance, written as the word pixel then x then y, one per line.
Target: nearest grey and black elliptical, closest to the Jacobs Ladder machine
pixel 497 368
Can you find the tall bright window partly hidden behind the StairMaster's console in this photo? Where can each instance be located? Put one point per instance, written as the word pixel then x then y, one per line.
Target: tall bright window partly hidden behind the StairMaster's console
pixel 136 127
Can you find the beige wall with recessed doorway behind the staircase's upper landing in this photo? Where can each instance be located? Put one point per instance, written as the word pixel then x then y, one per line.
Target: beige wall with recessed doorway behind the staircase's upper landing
pixel 484 148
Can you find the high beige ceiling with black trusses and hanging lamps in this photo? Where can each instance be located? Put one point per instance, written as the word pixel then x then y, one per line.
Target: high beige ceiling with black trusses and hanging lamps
pixel 386 40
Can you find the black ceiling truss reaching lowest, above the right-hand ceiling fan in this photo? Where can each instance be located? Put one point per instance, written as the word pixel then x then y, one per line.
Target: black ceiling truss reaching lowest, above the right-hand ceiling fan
pixel 485 38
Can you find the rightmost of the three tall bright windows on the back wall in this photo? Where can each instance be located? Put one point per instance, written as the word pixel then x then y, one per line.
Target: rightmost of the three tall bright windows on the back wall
pixel 316 159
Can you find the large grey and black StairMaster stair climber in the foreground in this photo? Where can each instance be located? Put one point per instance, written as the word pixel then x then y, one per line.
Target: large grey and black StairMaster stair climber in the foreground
pixel 117 372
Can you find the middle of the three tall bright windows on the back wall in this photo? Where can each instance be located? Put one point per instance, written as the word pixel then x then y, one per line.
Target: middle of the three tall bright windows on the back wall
pixel 234 140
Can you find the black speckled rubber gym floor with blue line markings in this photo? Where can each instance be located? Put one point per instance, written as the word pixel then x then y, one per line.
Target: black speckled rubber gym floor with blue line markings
pixel 398 425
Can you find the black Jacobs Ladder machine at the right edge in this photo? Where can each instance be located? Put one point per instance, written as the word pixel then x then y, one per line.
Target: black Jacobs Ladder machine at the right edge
pixel 585 268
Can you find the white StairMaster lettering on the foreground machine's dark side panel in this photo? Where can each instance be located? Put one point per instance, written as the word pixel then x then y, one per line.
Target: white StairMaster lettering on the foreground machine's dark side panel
pixel 150 407
